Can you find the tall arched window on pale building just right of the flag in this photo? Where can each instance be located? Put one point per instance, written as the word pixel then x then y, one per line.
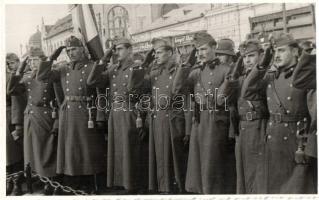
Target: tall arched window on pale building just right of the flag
pixel 117 22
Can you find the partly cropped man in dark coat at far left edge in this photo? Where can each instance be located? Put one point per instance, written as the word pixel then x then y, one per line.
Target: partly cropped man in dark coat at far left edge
pixel 15 105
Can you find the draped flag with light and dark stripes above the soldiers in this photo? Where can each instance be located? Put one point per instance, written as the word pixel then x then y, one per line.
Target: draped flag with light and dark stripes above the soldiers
pixel 85 28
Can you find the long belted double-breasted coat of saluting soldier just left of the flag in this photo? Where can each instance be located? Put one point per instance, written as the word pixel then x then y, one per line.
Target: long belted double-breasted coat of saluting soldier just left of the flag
pixel 81 150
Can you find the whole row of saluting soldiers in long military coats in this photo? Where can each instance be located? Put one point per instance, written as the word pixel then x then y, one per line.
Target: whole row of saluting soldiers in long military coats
pixel 255 134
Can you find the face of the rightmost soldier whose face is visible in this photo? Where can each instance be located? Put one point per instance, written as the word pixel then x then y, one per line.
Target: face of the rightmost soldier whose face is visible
pixel 285 56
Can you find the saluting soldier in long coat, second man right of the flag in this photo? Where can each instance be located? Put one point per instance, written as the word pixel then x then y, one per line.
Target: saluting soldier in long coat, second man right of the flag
pixel 167 164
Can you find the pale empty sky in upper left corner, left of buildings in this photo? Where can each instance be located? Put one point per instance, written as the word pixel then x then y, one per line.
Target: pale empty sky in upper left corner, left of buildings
pixel 21 22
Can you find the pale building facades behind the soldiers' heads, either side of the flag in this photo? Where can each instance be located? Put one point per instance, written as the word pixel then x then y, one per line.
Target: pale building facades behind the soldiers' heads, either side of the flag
pixel 179 22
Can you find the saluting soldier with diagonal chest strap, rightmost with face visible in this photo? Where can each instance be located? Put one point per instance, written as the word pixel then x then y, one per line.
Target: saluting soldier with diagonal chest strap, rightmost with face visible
pixel 286 105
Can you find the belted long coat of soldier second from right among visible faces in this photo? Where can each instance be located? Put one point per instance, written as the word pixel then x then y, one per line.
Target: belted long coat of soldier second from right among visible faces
pixel 252 117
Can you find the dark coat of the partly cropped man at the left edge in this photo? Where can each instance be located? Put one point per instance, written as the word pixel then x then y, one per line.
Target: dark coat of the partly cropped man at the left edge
pixel 15 105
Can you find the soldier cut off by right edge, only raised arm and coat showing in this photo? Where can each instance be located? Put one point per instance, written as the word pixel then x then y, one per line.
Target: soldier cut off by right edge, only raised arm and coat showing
pixel 305 176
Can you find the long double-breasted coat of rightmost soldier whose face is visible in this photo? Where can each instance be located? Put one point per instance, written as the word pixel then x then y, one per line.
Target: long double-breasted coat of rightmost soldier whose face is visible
pixel 281 141
